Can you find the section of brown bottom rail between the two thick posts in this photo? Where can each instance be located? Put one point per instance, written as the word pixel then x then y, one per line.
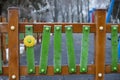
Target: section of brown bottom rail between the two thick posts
pixel 50 71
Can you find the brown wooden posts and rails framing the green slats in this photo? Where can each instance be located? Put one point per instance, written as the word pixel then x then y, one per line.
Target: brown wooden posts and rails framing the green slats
pixel 99 28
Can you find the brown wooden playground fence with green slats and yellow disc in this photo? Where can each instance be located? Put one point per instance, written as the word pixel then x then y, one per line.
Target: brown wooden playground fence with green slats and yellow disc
pixel 13 27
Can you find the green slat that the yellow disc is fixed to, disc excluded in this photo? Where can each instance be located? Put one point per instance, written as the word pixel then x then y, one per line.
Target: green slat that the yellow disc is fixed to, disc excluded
pixel 30 51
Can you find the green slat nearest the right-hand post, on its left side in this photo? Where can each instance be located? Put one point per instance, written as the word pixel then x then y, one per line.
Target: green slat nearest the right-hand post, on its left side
pixel 84 49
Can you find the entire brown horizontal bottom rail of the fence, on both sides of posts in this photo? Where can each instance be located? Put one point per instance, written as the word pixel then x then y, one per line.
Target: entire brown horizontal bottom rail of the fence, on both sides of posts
pixel 50 72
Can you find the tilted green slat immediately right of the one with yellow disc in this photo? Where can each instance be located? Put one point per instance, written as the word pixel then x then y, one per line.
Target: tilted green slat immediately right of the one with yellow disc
pixel 44 49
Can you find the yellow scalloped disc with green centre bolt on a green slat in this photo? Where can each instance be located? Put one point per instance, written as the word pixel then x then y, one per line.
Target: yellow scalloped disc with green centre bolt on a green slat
pixel 29 41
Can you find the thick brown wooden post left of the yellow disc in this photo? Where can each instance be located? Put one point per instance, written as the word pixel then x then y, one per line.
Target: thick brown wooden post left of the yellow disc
pixel 13 43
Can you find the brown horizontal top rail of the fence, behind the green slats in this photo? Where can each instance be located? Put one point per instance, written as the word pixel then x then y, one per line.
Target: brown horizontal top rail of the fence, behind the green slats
pixel 77 26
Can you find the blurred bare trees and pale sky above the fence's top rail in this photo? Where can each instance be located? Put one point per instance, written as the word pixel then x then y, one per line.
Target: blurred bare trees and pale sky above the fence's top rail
pixel 59 10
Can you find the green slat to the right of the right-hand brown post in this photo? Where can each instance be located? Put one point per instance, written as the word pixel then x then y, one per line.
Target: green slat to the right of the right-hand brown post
pixel 114 42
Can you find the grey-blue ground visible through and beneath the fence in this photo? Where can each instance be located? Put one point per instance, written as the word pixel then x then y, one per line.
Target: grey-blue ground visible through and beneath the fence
pixel 77 43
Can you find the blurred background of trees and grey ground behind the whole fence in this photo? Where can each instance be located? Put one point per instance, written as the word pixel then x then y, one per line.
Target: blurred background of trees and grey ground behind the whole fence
pixel 75 11
